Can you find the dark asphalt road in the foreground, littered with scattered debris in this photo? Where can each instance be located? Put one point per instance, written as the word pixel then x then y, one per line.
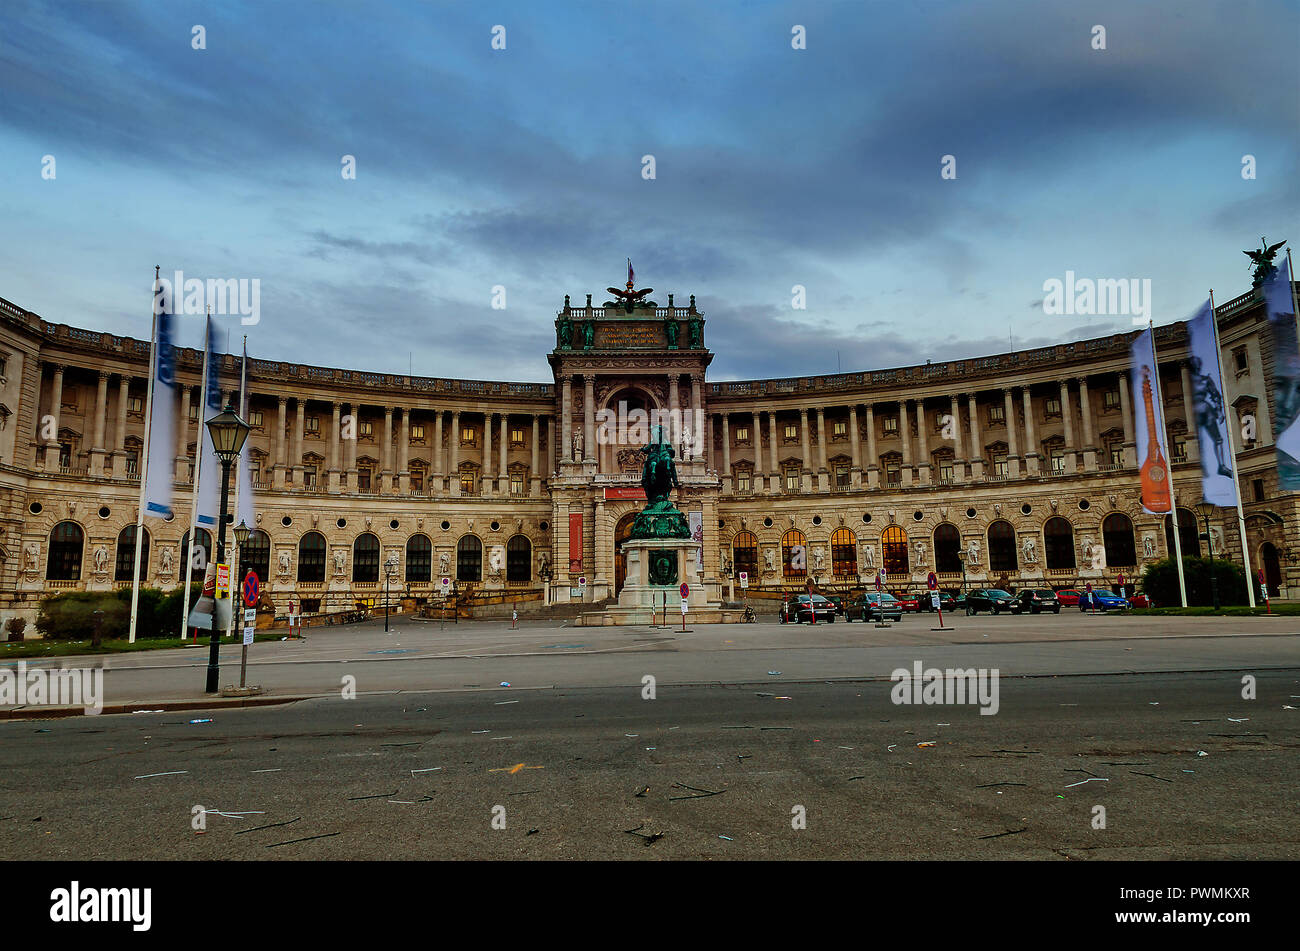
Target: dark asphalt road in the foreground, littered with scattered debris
pixel 418 776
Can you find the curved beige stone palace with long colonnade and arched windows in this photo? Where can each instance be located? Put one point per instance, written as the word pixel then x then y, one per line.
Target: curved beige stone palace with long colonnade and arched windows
pixel 1017 468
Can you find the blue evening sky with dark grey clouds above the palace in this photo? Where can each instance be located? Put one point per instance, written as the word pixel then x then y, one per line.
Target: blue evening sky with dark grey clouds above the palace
pixel 523 168
